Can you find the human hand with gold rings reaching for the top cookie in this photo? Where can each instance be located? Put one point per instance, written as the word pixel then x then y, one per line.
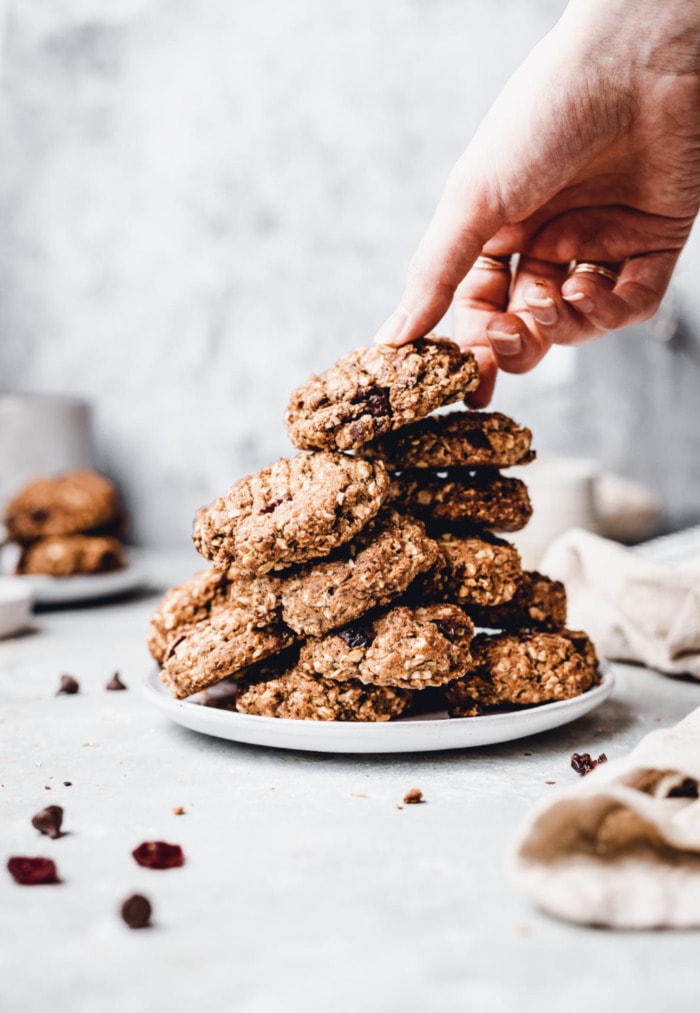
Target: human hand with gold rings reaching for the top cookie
pixel 591 153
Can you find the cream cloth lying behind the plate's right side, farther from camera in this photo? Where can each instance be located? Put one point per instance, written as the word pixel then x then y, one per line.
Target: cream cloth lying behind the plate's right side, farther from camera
pixel 635 609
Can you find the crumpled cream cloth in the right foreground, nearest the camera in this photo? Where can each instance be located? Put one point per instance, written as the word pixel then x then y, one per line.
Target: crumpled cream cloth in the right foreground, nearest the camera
pixel 623 849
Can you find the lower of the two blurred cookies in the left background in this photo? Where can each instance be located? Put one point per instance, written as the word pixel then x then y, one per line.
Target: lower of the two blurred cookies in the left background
pixel 66 556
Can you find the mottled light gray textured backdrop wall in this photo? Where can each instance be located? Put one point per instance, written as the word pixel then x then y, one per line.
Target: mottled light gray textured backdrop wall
pixel 204 201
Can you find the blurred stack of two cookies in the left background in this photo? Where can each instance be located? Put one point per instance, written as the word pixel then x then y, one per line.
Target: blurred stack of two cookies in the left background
pixel 69 525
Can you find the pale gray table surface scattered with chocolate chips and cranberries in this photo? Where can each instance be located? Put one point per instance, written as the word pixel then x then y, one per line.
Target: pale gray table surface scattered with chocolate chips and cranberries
pixel 307 886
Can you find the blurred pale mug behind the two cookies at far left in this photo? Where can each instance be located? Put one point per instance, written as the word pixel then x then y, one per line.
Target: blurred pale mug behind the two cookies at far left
pixel 42 436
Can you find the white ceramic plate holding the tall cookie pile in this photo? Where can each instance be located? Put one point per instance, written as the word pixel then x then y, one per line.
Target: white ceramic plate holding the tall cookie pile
pixel 411 735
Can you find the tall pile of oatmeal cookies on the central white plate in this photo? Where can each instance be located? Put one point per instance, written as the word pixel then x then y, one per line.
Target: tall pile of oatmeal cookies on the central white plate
pixel 348 581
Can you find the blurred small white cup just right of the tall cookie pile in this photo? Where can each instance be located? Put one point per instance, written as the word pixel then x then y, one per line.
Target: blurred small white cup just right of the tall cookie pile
pixel 563 493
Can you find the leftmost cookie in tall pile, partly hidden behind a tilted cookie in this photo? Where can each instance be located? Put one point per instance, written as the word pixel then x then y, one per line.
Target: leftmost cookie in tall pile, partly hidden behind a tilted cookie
pixel 205 595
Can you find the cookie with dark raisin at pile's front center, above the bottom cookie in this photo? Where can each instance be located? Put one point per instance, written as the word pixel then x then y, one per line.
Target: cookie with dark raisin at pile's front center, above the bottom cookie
pixel 405 647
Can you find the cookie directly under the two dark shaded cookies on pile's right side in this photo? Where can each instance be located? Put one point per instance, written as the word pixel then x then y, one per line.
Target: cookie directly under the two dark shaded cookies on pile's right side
pixel 473 571
